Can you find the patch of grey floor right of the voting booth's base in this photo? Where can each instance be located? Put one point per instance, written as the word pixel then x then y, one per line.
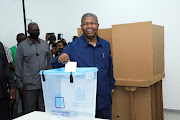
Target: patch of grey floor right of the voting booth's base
pixel 171 114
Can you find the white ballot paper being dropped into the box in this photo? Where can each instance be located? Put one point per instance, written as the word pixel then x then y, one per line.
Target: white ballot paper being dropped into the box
pixel 70 66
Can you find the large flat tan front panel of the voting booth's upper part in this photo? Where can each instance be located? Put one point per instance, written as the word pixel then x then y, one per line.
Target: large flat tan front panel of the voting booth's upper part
pixel 132 51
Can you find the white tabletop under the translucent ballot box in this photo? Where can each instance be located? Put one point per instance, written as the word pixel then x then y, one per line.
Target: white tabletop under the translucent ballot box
pixel 37 115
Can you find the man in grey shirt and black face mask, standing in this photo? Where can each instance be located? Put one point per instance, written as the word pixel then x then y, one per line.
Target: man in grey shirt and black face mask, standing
pixel 33 55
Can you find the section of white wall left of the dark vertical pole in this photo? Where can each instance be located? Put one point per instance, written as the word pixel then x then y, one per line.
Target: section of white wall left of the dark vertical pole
pixel 11 21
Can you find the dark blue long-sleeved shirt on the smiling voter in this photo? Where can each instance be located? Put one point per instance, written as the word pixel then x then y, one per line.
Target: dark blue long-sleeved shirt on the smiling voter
pixel 86 55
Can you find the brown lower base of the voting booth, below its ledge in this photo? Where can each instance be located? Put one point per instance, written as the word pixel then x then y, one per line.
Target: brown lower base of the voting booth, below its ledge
pixel 143 103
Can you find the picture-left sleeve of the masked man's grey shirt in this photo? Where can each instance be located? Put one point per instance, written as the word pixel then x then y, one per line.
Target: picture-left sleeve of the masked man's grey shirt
pixel 19 63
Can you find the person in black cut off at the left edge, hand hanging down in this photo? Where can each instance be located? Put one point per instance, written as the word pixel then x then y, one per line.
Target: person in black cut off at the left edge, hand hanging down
pixel 6 81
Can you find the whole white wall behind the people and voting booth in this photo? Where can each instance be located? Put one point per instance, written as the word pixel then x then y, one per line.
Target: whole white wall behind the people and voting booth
pixel 63 16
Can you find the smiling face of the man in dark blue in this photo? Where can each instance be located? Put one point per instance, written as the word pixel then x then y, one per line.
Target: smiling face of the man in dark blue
pixel 89 27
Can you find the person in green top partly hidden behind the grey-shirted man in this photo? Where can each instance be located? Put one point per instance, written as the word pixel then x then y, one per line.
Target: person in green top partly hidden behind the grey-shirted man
pixel 15 112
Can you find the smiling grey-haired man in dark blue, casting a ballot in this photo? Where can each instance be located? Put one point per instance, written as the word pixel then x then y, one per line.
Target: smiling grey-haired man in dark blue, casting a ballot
pixel 89 50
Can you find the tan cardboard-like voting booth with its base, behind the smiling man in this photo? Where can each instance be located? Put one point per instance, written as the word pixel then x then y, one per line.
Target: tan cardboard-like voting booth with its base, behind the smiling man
pixel 138 59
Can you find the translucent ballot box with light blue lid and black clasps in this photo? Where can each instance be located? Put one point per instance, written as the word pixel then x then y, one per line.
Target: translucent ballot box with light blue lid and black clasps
pixel 70 94
